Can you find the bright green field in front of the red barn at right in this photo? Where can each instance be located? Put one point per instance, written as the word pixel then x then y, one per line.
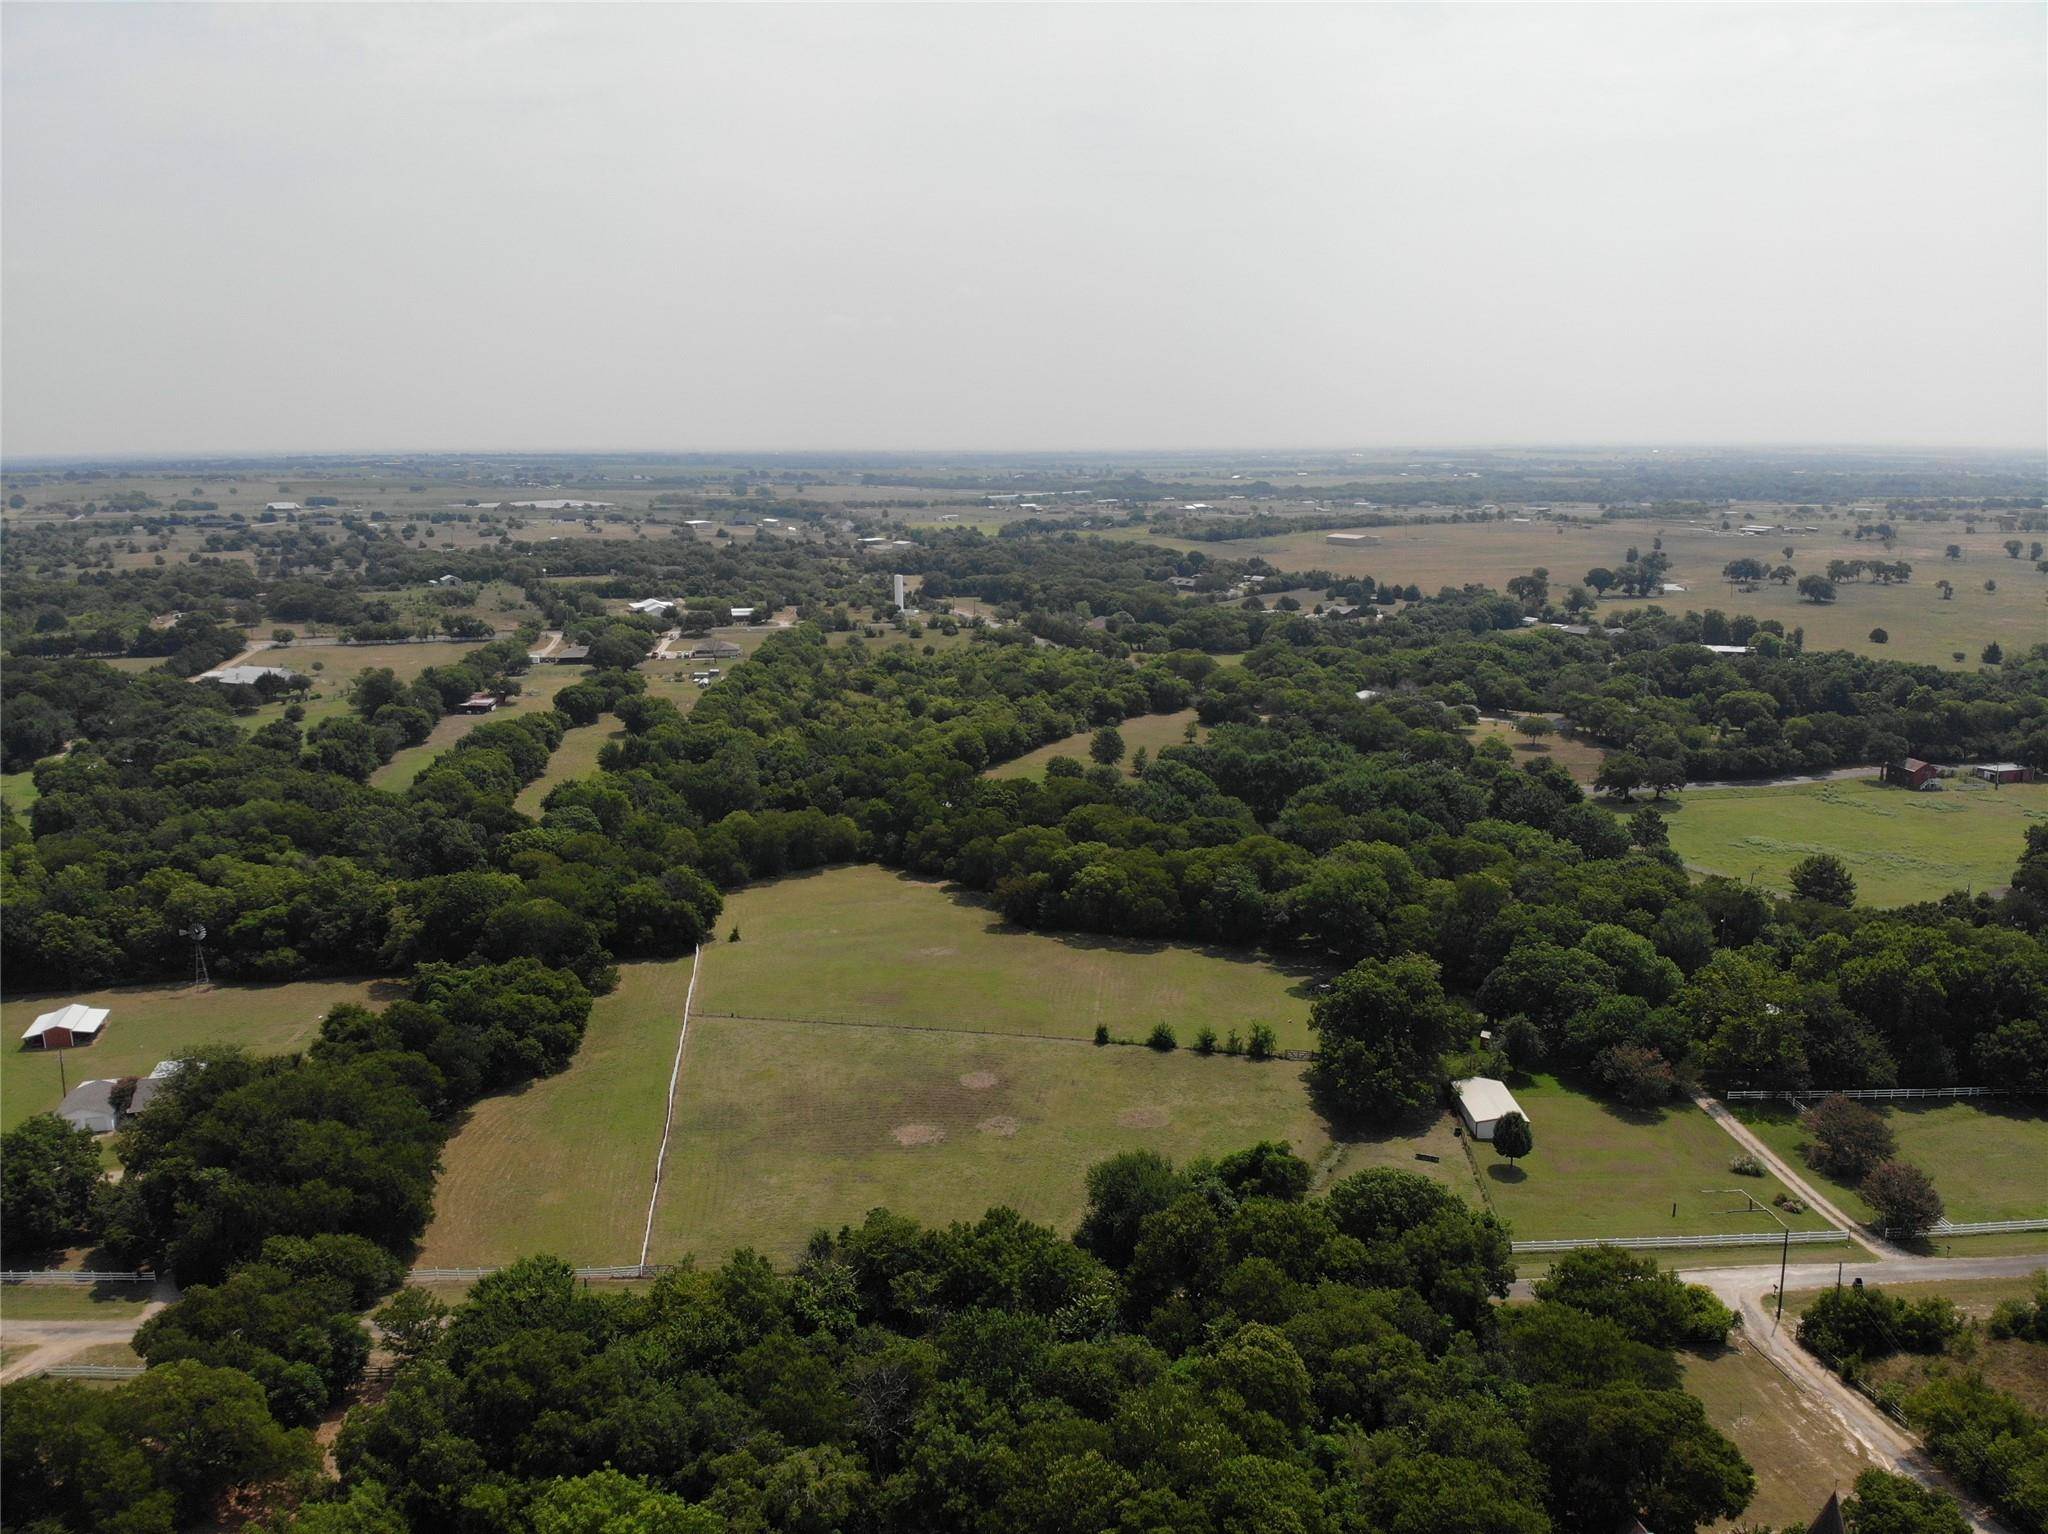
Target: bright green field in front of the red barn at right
pixel 1902 847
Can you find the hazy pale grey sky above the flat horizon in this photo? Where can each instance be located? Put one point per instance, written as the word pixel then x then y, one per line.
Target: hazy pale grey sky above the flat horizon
pixel 282 228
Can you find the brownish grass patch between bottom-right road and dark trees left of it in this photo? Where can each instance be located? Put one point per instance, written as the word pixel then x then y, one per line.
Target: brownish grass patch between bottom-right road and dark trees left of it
pixel 1799 1449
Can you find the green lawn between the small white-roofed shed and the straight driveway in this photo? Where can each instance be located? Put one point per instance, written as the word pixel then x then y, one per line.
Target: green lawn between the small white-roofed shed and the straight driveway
pixel 1607 1170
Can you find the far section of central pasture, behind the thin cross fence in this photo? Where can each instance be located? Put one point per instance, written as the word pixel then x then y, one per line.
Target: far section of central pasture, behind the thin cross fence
pixel 865 945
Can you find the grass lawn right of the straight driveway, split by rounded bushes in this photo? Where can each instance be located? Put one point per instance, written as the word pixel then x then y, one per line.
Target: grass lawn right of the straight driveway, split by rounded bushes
pixel 1988 1158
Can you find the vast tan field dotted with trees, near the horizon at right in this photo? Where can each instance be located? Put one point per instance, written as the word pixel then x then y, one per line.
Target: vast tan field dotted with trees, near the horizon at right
pixel 1922 626
